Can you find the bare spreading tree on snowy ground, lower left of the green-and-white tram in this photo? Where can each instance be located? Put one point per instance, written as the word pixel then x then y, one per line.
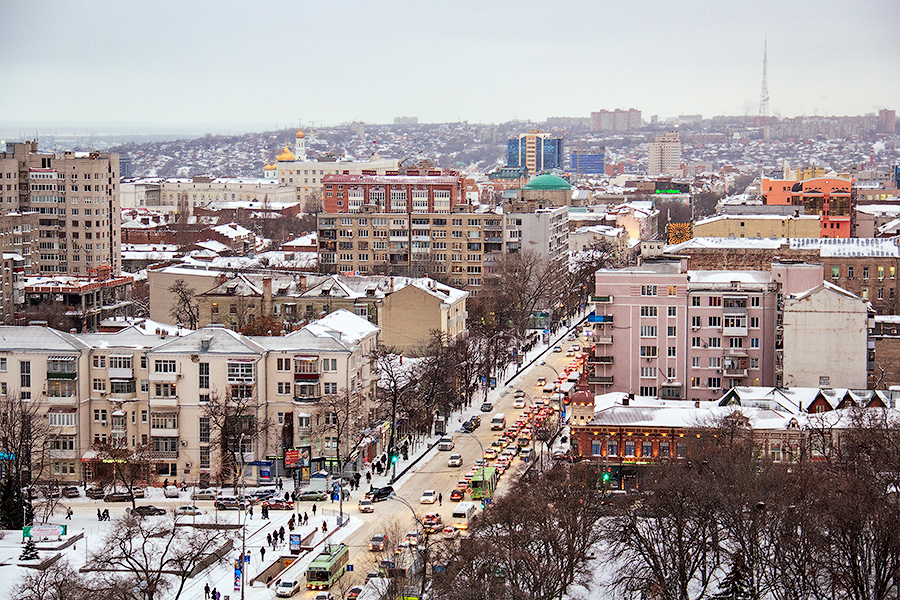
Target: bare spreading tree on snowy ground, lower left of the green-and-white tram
pixel 158 553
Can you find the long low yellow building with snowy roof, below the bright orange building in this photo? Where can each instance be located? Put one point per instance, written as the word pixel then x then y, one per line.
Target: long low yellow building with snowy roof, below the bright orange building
pixel 759 226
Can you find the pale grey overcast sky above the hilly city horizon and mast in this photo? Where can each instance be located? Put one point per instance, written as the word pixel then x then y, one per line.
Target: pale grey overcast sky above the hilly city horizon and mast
pixel 266 64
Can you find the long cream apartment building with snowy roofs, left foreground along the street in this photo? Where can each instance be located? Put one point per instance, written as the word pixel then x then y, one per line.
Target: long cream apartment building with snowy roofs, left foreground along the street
pixel 148 387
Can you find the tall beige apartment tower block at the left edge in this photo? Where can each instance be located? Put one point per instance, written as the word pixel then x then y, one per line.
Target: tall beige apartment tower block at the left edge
pixel 77 197
